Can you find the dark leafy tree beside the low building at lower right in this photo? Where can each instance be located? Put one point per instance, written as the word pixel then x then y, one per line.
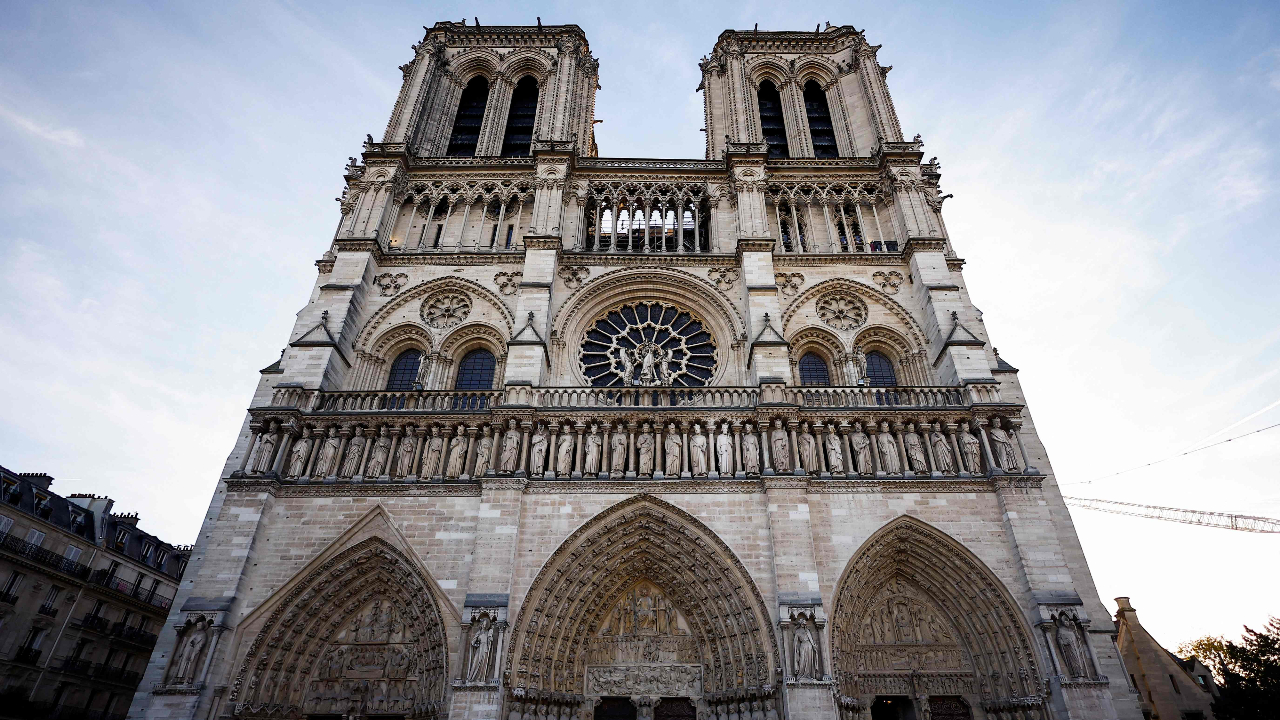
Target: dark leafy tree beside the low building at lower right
pixel 1251 676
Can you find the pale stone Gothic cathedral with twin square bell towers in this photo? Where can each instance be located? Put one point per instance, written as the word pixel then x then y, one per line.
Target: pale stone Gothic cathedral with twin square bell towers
pixel 560 436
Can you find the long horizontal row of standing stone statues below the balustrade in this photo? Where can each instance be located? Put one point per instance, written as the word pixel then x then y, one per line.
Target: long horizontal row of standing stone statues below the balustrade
pixel 639 449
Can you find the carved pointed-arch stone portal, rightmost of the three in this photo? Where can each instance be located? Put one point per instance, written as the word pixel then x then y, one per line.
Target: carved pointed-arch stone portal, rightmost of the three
pixel 915 609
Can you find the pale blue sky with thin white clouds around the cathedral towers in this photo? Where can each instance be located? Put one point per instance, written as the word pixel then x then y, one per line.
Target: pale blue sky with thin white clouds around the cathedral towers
pixel 168 174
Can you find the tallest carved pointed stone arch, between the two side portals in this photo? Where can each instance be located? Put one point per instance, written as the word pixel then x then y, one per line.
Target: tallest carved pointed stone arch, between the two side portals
pixel 596 604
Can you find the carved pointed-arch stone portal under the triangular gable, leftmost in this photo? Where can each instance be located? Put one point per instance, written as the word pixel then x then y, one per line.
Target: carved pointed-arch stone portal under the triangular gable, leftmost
pixel 362 634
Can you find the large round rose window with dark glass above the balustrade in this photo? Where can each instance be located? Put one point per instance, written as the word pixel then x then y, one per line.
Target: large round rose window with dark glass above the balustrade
pixel 648 345
